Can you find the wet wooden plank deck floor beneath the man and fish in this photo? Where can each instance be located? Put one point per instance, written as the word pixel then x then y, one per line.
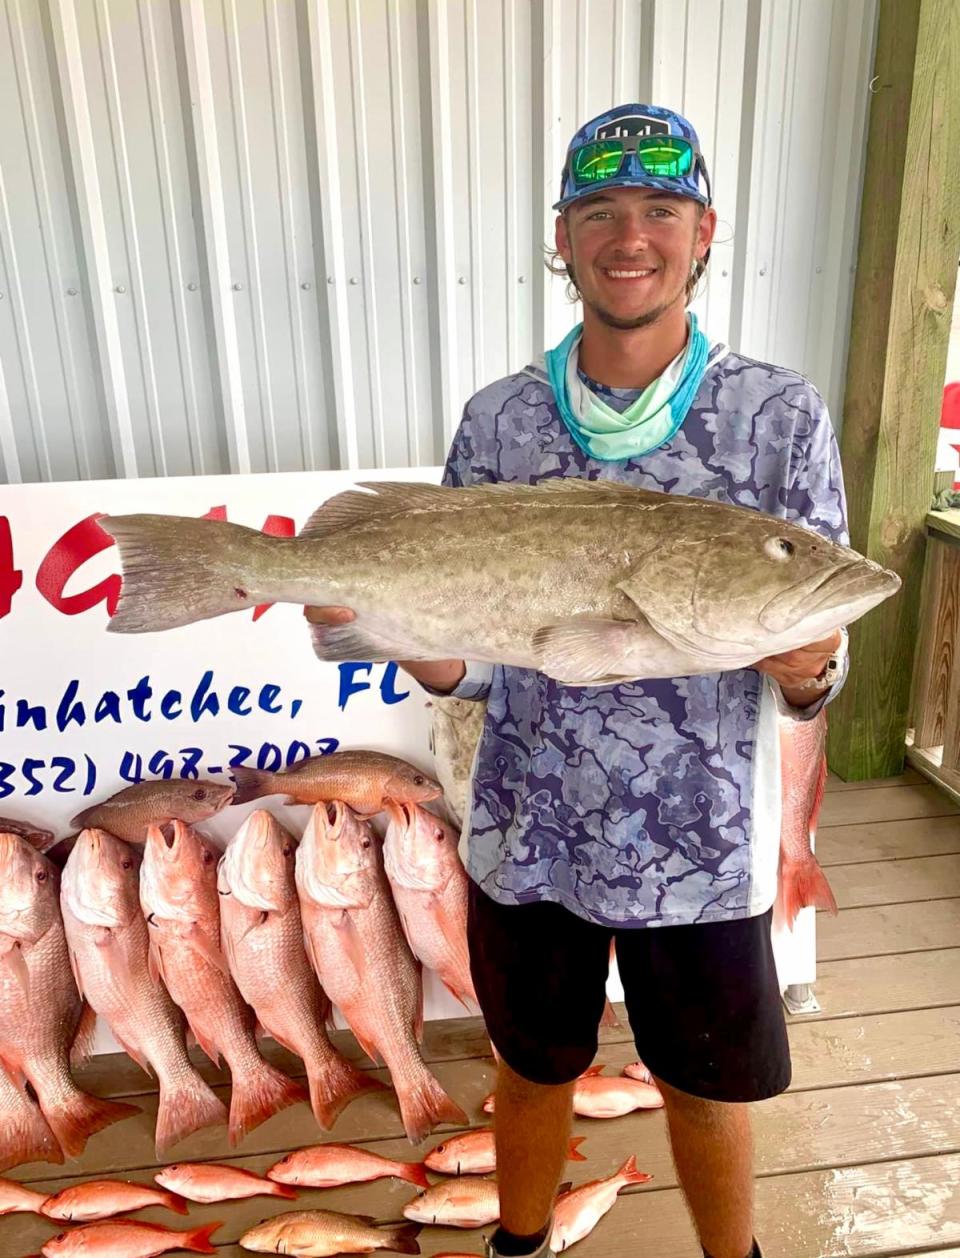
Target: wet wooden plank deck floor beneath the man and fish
pixel 861 1157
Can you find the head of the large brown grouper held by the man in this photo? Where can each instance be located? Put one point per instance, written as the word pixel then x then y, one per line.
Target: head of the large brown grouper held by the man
pixel 766 586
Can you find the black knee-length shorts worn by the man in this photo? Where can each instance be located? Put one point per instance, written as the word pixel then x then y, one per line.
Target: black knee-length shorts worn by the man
pixel 704 1001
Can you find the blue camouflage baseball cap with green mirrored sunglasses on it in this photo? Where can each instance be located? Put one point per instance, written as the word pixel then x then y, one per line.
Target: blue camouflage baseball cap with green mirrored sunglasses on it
pixel 625 124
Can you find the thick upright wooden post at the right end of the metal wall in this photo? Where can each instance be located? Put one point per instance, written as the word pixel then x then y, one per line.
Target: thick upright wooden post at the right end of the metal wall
pixel 907 276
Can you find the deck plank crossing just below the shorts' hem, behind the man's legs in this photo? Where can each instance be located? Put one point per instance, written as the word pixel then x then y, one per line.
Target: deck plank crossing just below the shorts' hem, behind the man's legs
pixel 839 1128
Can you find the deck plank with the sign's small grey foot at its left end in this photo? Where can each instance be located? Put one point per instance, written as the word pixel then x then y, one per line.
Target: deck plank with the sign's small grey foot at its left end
pixel 915 981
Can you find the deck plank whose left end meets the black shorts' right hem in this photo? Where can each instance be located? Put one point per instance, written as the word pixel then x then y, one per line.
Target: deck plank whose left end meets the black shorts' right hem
pixel 876 1047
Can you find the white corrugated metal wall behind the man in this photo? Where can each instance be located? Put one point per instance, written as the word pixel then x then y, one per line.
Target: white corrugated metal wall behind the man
pixel 279 235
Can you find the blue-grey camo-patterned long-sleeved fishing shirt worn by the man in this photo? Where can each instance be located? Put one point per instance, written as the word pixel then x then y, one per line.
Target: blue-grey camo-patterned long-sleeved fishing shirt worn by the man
pixel 654 803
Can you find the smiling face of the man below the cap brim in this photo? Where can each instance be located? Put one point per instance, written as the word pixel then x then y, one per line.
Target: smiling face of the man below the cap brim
pixel 632 251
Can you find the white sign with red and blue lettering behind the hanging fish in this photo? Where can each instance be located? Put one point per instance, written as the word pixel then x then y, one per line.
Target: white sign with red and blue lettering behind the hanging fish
pixel 85 714
